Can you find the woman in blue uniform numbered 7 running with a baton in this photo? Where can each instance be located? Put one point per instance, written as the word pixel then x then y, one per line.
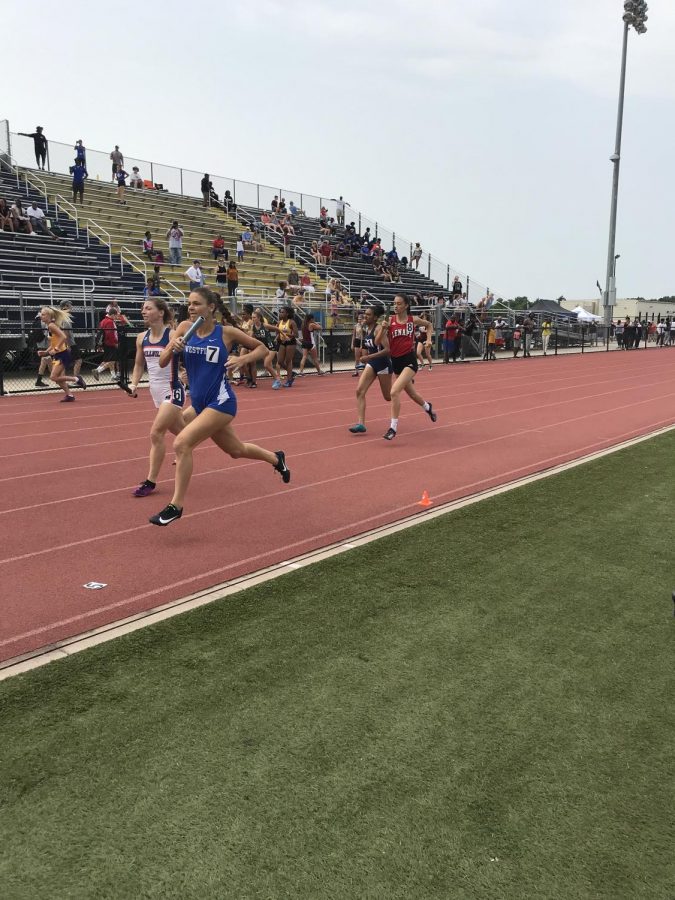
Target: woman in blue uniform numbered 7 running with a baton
pixel 214 405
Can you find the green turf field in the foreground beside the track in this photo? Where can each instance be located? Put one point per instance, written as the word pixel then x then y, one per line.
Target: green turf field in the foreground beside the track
pixel 479 707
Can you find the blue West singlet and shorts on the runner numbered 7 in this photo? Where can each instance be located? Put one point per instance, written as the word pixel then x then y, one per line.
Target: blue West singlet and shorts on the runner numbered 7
pixel 205 359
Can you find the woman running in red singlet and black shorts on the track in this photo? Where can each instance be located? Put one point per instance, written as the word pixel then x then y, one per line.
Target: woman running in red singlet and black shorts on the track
pixel 404 360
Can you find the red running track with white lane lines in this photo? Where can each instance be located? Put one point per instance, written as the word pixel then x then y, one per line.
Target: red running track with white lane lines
pixel 67 516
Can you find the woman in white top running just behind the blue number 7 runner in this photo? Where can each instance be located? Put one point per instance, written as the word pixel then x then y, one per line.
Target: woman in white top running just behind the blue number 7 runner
pixel 166 390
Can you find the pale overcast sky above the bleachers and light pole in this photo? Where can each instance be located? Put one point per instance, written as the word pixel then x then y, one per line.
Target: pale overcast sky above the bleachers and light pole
pixel 482 129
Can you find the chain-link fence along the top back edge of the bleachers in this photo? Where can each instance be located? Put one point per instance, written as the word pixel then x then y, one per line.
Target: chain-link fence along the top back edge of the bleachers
pixel 187 182
